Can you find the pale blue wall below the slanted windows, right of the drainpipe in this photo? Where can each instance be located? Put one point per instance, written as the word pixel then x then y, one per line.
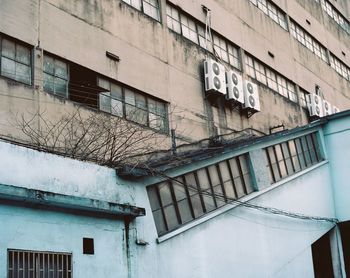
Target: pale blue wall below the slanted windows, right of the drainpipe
pixel 244 242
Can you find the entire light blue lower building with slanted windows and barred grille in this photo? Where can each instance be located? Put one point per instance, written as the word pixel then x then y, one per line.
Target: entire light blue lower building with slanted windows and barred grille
pixel 271 206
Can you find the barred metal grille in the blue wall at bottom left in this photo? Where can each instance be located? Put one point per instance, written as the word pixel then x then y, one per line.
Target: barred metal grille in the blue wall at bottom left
pixel 30 264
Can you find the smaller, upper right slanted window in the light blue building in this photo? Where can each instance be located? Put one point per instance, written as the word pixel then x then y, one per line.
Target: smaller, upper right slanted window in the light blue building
pixel 292 156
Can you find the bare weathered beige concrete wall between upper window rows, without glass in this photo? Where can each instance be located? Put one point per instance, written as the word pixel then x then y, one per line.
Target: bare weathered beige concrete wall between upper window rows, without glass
pixel 163 64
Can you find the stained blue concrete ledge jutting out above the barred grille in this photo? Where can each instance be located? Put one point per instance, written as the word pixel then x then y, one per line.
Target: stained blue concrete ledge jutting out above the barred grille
pixel 42 199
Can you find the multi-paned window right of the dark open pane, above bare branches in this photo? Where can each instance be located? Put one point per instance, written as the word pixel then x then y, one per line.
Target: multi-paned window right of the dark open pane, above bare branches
pixel 132 105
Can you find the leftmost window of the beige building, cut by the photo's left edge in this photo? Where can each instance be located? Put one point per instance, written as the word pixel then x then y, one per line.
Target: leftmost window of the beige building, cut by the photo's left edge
pixel 15 61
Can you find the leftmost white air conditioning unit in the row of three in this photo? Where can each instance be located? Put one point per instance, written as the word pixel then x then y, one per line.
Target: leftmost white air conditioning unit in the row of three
pixel 214 74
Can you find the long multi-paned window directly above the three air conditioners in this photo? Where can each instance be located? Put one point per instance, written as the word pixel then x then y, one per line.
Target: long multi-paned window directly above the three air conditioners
pixel 195 31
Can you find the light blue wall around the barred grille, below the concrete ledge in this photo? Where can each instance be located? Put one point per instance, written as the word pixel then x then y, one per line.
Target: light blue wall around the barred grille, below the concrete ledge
pixel 40 230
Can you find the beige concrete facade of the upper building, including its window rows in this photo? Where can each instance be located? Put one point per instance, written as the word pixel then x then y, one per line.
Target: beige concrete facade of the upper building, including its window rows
pixel 111 55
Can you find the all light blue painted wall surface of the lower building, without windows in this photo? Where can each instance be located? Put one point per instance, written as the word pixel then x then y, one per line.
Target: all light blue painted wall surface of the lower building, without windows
pixel 241 242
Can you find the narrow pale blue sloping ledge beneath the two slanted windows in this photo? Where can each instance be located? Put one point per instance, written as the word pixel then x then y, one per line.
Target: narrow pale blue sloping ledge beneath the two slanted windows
pixel 228 207
